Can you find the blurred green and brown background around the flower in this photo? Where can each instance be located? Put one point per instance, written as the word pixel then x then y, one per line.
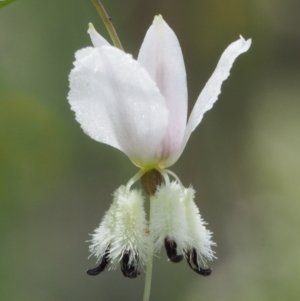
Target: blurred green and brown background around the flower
pixel 243 160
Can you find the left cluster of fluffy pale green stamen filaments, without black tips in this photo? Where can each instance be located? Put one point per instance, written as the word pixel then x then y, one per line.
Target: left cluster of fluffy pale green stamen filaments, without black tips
pixel 123 229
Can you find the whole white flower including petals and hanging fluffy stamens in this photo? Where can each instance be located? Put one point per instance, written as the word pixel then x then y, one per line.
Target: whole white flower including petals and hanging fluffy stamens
pixel 140 107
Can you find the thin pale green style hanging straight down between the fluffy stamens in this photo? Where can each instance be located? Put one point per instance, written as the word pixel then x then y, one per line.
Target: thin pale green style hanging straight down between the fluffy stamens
pixel 149 263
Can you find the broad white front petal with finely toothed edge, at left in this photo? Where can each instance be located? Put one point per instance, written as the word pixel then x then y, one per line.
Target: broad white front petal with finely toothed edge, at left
pixel 117 103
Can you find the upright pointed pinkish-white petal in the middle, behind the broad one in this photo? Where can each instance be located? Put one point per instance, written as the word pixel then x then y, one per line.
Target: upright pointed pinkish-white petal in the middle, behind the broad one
pixel 161 55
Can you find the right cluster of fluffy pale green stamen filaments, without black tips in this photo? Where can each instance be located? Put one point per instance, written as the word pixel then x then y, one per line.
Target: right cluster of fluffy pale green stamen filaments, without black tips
pixel 177 218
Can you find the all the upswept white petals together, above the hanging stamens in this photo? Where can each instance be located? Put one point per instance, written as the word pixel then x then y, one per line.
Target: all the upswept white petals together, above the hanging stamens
pixel 140 107
